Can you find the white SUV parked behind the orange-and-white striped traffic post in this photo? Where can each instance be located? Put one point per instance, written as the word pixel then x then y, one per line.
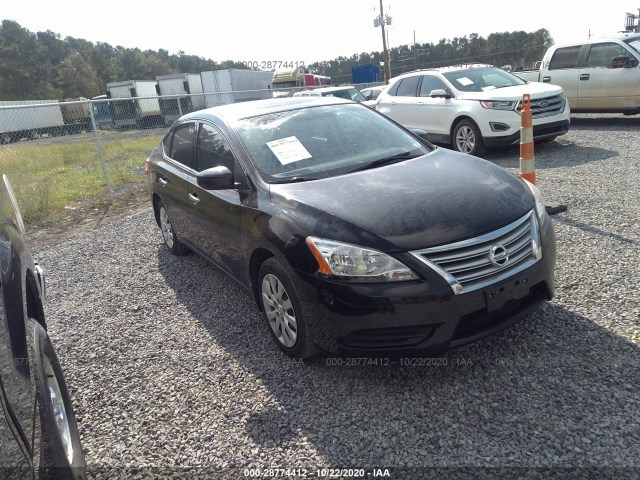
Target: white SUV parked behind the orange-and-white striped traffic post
pixel 473 107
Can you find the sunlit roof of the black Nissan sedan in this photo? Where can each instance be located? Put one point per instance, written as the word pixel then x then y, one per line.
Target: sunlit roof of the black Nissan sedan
pixel 238 111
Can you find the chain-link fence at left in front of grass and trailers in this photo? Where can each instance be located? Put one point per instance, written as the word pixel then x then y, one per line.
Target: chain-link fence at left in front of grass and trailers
pixel 81 153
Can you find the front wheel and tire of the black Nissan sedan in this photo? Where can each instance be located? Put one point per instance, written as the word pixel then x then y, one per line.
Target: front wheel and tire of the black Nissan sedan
pixel 279 300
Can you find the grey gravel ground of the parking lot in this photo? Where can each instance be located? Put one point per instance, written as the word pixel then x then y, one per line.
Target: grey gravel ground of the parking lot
pixel 173 372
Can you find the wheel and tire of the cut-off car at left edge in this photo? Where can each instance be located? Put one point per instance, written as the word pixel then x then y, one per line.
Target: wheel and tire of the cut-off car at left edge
pixel 61 455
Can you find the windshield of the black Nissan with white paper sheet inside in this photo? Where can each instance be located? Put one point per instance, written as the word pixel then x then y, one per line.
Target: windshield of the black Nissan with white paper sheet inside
pixel 323 141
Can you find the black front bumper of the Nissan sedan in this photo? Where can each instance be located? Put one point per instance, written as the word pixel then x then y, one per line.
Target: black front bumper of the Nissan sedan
pixel 421 317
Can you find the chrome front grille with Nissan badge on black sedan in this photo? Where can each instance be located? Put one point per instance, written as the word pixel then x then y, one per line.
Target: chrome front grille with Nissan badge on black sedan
pixel 477 262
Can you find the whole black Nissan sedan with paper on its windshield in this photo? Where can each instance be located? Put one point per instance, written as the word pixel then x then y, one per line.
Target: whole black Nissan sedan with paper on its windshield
pixel 353 234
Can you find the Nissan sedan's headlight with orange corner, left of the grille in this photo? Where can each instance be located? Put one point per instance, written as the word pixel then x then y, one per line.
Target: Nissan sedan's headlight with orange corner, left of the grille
pixel 352 262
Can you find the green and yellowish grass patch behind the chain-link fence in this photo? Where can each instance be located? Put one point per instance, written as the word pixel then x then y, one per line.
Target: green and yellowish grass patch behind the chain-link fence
pixel 48 175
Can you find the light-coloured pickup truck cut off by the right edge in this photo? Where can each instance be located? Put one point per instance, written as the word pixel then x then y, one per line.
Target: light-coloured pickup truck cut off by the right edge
pixel 598 75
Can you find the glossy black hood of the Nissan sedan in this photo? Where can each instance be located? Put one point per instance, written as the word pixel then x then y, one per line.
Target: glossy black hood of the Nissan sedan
pixel 438 198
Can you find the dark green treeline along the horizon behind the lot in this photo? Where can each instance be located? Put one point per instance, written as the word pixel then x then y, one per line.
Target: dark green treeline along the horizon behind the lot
pixel 44 66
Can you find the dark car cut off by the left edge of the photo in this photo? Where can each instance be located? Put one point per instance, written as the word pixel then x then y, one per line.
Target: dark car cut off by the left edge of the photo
pixel 38 432
